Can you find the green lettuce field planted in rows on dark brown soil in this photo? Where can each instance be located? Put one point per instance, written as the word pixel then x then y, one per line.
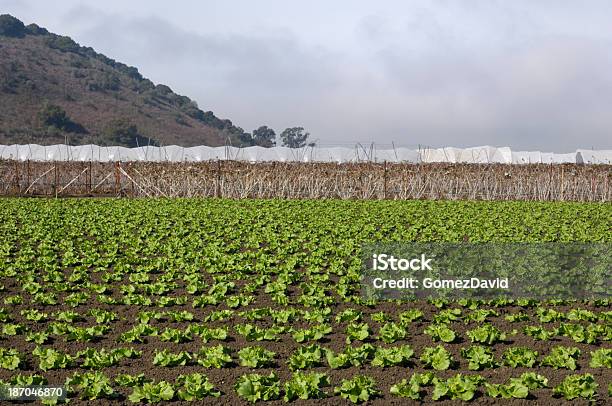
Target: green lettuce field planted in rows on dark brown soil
pixel 223 301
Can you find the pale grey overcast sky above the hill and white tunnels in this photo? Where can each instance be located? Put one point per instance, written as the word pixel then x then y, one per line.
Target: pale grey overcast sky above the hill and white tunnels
pixel 525 74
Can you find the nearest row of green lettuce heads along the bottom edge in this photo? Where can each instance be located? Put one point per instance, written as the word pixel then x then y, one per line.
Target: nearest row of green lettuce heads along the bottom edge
pixel 256 387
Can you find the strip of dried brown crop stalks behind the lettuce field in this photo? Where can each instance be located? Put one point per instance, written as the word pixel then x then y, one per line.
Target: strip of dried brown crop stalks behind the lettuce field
pixel 232 179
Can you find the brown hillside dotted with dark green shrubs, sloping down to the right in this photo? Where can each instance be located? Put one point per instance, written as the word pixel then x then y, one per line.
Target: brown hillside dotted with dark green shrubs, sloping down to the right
pixel 53 90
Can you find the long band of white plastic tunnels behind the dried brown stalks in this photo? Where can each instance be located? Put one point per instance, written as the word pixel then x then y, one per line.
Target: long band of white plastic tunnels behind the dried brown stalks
pixel 173 153
